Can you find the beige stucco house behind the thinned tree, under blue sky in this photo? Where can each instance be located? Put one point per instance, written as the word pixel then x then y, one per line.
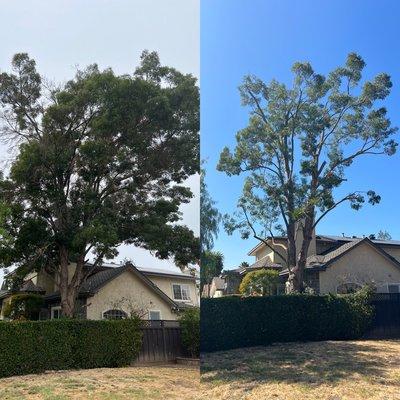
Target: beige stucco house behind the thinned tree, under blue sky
pixel 335 264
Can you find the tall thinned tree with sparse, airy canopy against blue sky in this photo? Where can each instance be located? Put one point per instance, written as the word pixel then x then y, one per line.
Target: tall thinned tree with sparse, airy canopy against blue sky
pixel 296 147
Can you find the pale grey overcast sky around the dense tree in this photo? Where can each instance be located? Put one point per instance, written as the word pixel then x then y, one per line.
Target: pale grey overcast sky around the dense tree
pixel 64 35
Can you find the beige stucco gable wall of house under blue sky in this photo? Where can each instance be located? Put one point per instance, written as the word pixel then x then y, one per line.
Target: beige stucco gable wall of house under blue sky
pixel 361 265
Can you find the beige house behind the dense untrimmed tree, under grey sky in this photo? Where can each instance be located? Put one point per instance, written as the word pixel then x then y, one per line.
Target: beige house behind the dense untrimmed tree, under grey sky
pixel 113 292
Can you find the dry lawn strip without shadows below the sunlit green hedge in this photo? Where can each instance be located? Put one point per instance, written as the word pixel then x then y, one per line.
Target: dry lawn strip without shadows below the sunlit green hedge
pixel 162 382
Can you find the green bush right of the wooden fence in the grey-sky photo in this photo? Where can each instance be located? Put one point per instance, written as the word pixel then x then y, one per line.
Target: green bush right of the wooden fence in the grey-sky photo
pixel 190 324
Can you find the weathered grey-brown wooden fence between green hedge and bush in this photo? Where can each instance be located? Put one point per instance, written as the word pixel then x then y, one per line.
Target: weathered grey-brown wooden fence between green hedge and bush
pixel 161 342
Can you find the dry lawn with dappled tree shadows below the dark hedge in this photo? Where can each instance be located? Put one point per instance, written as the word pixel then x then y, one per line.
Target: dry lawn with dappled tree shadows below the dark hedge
pixel 355 370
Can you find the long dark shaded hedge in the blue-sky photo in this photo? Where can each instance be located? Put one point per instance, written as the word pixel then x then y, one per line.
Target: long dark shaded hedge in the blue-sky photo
pixel 233 322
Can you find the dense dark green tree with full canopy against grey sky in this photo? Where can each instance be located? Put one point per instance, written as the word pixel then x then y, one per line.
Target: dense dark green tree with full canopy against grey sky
pixel 101 162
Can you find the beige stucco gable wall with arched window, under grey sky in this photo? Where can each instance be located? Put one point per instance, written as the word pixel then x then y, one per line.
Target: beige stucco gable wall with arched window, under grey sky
pixel 122 292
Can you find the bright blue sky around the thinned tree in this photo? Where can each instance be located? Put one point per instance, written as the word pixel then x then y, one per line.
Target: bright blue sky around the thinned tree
pixel 265 37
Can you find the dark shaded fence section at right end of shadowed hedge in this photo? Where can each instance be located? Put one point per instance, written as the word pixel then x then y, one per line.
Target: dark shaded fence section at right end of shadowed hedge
pixel 386 322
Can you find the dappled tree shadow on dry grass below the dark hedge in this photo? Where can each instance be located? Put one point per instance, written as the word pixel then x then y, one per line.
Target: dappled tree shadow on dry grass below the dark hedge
pixel 309 363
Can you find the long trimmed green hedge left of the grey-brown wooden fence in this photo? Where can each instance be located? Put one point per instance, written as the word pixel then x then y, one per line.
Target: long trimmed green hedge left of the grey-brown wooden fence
pixel 36 346
